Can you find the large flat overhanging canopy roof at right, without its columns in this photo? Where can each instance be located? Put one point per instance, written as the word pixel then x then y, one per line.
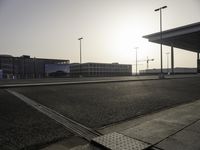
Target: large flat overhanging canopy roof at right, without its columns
pixel 185 37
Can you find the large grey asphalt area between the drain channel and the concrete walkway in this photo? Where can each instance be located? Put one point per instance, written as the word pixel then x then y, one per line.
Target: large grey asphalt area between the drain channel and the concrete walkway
pixel 97 105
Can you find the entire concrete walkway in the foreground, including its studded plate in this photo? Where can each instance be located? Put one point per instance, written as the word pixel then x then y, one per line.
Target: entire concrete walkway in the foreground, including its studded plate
pixel 176 128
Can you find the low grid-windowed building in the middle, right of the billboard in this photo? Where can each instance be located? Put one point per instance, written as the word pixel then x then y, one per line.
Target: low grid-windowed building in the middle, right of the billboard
pixel 100 69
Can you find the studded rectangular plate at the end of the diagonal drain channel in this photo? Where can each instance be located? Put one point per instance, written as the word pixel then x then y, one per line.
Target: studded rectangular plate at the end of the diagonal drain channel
pixel 117 141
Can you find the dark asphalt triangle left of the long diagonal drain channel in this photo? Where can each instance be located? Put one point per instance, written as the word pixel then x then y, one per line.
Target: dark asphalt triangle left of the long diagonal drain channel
pixel 22 127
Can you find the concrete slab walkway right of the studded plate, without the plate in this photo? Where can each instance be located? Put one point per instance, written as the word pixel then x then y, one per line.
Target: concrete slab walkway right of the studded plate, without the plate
pixel 177 128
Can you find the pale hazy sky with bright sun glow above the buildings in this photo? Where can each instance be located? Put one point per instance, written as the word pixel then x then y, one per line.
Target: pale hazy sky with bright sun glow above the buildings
pixel 110 28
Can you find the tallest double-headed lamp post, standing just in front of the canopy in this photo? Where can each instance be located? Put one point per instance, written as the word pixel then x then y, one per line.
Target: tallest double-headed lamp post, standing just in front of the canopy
pixel 161 65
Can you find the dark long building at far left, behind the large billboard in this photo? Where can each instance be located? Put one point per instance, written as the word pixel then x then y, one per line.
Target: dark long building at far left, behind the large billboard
pixel 26 67
